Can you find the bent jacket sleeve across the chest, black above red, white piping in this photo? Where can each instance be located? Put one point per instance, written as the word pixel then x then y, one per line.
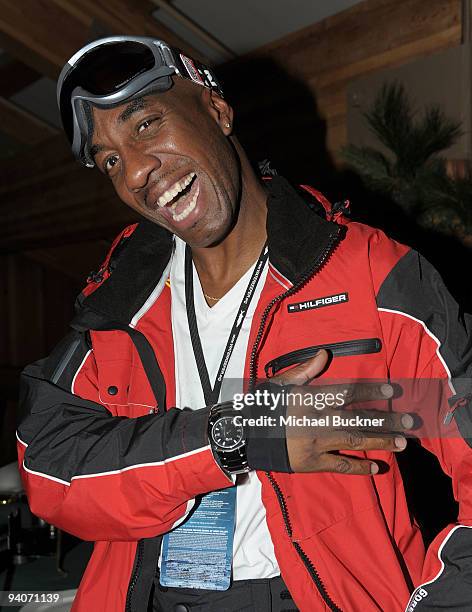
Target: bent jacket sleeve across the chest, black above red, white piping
pixel 105 477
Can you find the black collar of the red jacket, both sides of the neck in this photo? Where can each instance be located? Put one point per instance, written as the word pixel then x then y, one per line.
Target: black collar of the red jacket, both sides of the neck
pixel 297 237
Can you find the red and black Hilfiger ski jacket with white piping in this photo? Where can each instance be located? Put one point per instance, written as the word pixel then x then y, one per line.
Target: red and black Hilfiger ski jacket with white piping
pixel 105 456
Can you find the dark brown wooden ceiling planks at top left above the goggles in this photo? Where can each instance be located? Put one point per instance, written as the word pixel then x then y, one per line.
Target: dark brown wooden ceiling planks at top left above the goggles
pixel 44 34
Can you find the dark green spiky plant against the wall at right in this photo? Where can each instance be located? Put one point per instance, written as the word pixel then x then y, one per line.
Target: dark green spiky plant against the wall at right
pixel 411 172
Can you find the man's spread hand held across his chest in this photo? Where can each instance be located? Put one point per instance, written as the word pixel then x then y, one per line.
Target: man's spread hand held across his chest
pixel 315 448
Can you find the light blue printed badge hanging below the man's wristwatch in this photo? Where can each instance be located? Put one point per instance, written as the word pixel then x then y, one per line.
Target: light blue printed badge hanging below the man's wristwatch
pixel 199 553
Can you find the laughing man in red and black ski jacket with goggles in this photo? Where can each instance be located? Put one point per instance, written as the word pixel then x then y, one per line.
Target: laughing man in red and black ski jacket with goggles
pixel 227 278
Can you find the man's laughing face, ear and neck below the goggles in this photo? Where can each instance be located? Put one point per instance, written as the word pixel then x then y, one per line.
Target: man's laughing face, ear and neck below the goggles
pixel 171 158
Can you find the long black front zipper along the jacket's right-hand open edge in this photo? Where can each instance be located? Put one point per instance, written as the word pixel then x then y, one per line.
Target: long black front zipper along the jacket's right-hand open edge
pixel 317 265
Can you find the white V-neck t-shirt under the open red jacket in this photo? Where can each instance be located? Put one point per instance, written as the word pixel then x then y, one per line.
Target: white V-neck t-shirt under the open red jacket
pixel 253 551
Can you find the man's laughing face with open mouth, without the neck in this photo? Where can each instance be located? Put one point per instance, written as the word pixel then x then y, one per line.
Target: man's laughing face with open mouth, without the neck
pixel 170 158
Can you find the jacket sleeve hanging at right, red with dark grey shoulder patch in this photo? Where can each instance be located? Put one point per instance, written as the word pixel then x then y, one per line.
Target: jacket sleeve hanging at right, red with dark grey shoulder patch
pixel 428 340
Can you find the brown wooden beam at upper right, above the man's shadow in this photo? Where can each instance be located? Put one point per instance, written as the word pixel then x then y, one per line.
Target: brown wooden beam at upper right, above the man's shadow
pixel 411 23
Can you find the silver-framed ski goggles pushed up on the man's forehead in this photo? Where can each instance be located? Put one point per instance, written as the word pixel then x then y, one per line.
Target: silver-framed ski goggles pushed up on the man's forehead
pixel 112 70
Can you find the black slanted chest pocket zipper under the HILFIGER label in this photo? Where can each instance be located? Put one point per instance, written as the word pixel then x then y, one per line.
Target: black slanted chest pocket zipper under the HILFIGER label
pixel 338 349
